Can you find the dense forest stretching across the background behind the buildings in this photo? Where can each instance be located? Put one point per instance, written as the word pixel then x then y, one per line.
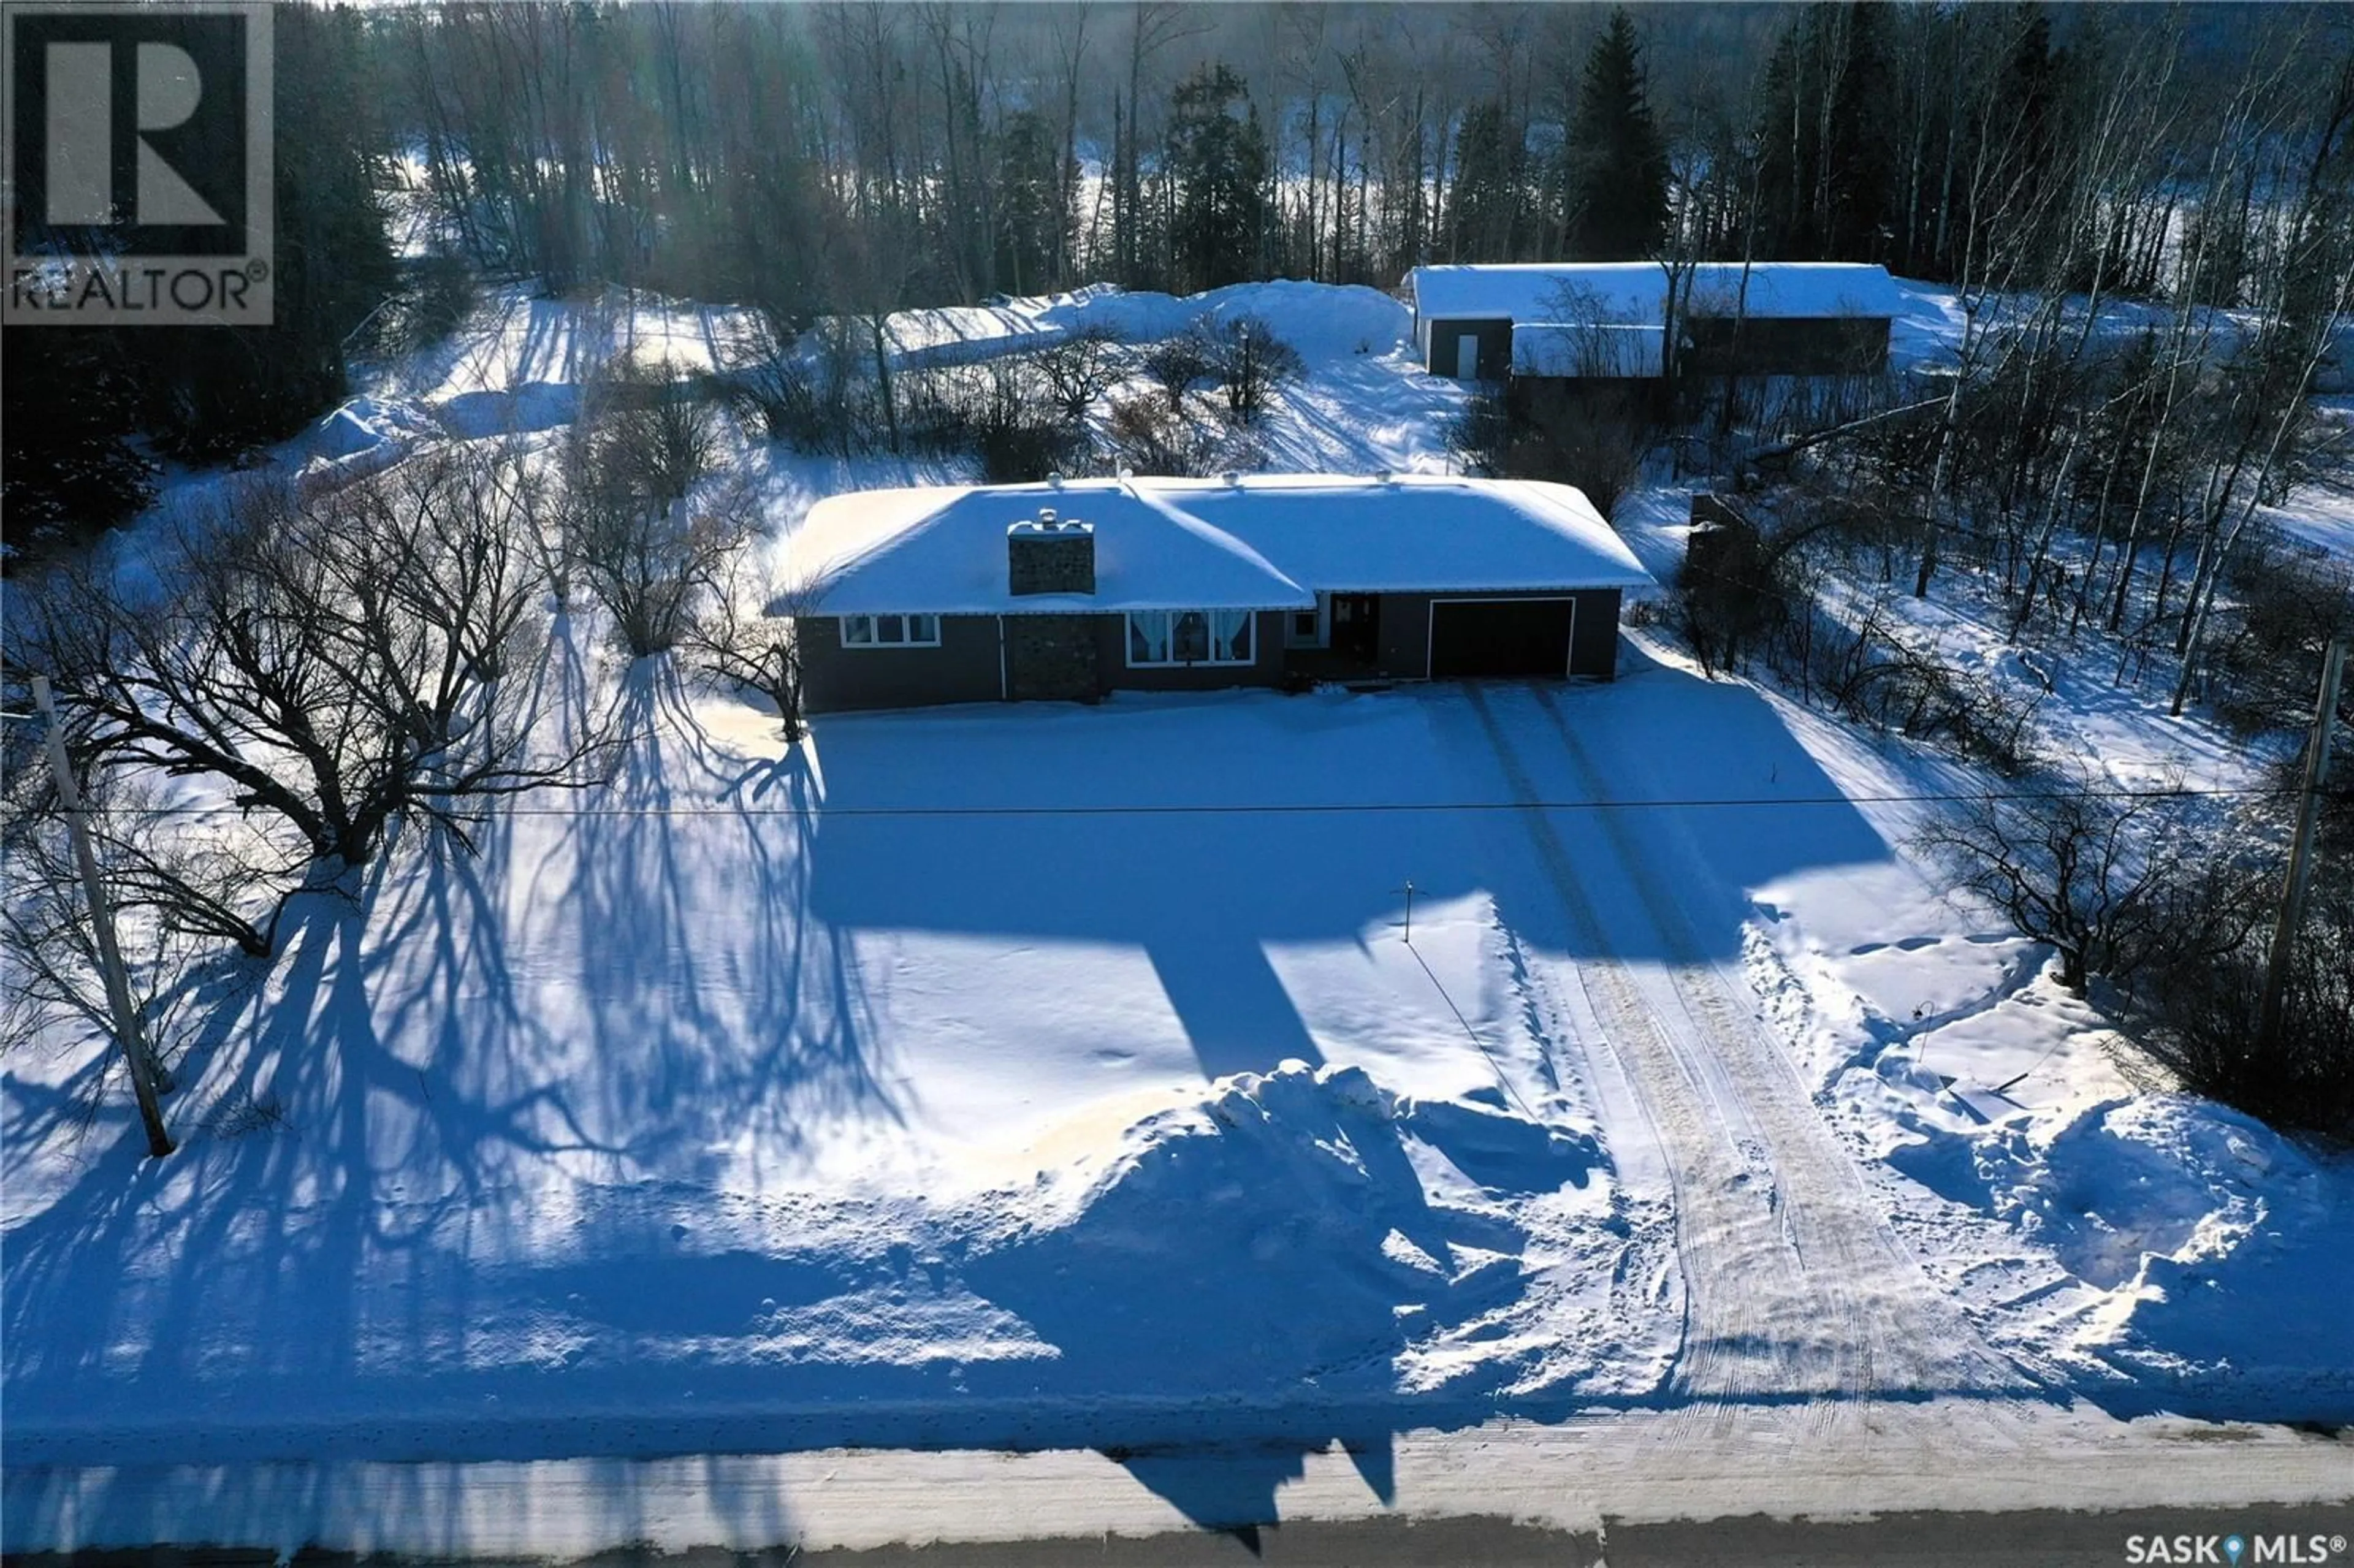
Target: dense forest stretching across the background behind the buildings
pixel 860 159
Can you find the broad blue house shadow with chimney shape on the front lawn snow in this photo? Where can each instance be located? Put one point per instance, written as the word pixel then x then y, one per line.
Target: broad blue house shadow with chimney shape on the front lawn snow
pixel 1209 830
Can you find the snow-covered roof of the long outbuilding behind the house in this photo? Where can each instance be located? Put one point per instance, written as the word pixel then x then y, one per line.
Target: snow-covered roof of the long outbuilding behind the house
pixel 1635 293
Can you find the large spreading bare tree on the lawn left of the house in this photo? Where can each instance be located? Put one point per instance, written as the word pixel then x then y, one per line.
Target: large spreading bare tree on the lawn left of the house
pixel 338 663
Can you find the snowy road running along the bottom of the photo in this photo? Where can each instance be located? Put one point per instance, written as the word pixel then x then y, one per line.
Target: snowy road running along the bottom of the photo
pixel 1934 1482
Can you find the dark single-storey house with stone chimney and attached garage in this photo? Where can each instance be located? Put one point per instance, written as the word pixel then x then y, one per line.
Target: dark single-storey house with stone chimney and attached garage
pixel 1075 590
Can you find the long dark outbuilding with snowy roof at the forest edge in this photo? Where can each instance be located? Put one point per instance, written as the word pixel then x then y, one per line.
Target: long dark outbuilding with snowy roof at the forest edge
pixel 1609 319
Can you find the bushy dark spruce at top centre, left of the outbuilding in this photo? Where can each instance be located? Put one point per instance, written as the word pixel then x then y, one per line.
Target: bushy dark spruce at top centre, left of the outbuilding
pixel 1221 175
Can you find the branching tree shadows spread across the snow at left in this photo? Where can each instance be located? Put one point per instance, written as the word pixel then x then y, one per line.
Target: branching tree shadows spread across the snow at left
pixel 484 1127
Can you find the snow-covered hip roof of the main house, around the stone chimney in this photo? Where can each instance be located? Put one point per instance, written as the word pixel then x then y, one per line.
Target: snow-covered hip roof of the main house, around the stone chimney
pixel 1258 543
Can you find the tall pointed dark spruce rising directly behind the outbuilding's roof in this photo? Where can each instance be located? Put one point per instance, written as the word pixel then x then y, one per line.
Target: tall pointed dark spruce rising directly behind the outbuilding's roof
pixel 1616 182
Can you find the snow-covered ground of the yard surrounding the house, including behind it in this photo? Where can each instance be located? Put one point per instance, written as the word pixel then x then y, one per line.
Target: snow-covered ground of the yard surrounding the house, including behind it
pixel 1070 1077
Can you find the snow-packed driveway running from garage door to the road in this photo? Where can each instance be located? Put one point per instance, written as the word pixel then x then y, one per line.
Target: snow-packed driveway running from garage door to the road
pixel 1795 1284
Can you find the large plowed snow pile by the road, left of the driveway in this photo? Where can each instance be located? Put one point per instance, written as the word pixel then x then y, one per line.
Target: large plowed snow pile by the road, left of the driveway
pixel 1305 1235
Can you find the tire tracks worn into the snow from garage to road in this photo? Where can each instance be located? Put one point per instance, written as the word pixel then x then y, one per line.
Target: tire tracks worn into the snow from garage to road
pixel 1795 1287
